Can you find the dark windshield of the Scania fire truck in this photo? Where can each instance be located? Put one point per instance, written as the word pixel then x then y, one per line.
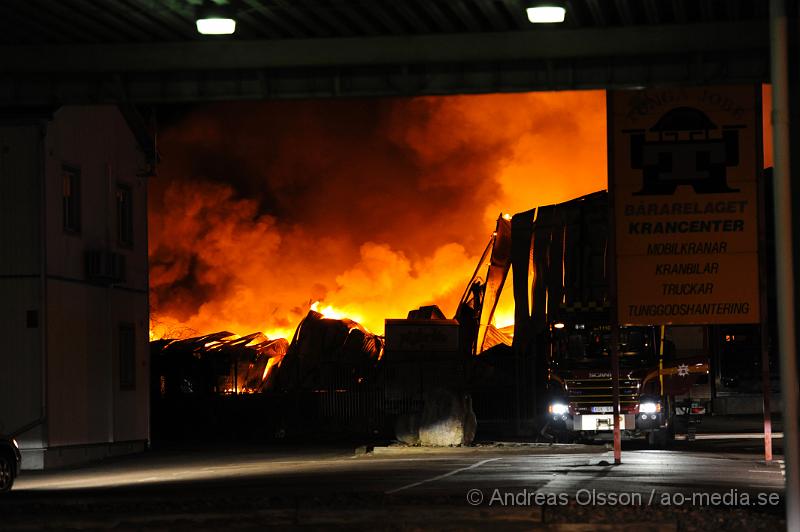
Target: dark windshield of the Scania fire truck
pixel 591 346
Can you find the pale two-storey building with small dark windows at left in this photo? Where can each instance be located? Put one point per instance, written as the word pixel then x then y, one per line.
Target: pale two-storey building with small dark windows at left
pixel 74 375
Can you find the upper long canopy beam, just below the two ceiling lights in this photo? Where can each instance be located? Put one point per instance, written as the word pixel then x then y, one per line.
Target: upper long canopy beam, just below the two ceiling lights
pixel 644 42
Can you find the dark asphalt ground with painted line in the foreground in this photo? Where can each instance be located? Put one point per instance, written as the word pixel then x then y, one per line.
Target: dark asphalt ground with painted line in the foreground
pixel 510 486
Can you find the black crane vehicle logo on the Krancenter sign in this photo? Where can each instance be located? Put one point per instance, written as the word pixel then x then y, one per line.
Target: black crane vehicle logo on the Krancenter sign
pixel 684 147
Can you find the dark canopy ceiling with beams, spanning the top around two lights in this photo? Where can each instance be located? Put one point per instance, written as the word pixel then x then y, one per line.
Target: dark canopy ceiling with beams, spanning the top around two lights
pixel 92 51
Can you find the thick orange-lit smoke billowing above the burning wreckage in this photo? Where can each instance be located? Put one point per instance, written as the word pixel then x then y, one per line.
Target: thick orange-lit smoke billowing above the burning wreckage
pixel 372 206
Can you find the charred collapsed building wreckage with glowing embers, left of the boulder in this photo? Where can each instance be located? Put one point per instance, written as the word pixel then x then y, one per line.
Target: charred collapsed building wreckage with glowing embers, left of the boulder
pixel 222 385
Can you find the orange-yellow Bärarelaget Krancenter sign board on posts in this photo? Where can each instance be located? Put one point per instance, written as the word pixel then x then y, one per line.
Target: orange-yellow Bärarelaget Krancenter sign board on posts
pixel 683 174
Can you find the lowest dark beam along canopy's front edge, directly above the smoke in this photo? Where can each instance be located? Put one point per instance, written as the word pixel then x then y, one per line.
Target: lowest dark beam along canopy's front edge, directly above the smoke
pixel 23 90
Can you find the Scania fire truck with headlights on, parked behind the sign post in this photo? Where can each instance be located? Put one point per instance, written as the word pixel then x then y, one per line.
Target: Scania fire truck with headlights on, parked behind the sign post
pixel 657 390
